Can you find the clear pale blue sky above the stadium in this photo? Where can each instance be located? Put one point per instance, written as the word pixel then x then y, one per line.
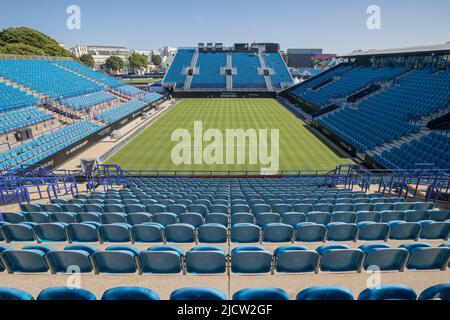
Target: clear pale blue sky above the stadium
pixel 336 26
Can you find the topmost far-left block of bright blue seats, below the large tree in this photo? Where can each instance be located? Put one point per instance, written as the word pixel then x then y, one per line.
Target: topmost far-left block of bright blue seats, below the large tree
pixel 47 77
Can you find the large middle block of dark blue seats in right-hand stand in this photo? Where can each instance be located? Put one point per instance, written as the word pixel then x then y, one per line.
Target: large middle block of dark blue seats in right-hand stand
pixel 388 115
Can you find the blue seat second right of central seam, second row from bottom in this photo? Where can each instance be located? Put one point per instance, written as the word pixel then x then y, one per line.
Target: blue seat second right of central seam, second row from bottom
pixel 296 259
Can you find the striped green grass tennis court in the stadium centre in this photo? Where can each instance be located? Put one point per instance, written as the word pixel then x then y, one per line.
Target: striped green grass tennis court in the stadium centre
pixel 299 149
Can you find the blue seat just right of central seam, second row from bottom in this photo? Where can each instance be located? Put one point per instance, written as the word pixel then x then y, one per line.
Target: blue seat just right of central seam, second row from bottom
pixel 251 260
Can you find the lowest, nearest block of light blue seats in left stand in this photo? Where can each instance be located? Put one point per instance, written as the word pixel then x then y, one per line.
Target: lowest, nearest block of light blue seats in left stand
pixel 30 153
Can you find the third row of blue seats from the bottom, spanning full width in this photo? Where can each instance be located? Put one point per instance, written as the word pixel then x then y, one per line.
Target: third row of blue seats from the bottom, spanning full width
pixel 153 232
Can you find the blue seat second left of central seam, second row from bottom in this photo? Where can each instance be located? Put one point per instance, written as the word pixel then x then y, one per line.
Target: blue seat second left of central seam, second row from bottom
pixel 161 260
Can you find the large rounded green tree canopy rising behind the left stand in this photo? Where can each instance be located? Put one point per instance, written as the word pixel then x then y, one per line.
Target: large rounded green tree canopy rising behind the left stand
pixel 28 41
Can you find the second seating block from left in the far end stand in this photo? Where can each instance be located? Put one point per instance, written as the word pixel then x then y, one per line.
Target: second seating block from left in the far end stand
pixel 209 77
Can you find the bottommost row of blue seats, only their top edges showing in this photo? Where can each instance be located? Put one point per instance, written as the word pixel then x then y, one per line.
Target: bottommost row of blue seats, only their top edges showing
pixel 384 292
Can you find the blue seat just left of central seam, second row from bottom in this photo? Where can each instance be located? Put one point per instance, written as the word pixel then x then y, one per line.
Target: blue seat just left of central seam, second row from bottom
pixel 206 260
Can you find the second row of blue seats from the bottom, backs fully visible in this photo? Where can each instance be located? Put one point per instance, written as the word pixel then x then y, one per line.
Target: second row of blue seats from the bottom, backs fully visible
pixel 215 260
